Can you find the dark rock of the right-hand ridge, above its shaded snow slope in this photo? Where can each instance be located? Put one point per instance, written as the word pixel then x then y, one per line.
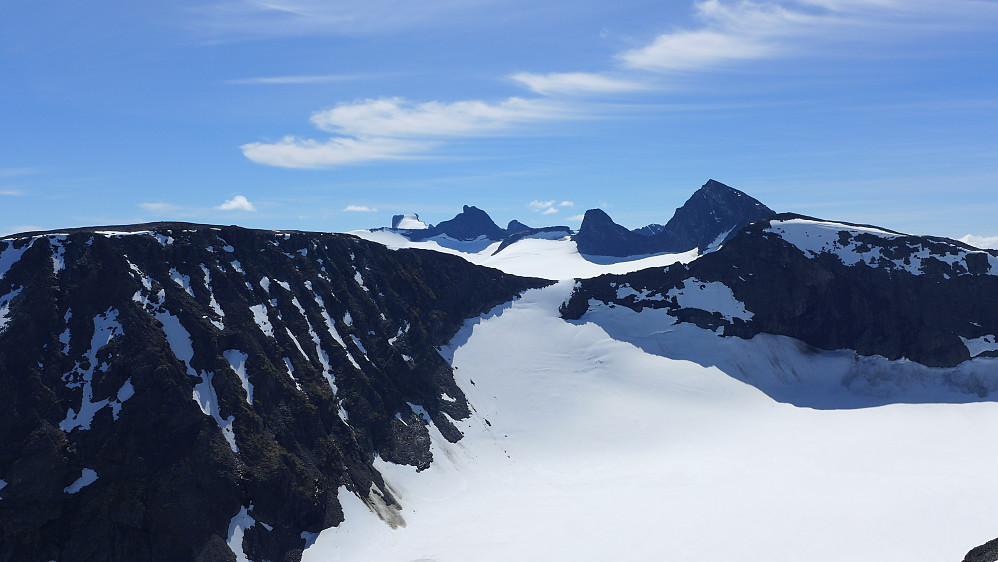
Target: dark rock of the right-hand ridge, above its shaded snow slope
pixel 879 294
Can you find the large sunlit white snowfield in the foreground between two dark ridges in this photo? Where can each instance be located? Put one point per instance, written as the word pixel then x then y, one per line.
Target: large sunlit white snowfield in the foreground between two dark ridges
pixel 583 447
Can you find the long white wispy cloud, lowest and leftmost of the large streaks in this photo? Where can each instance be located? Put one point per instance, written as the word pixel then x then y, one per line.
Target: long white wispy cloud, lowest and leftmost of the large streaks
pixel 394 128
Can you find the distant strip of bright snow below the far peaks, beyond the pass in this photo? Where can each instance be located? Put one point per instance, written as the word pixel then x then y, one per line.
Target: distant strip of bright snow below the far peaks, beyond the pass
pixel 531 257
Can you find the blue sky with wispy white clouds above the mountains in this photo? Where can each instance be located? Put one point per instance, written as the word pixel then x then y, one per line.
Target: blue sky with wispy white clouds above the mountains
pixel 333 116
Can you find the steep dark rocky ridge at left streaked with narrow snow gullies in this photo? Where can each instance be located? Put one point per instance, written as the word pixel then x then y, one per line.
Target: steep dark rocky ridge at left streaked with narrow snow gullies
pixel 200 371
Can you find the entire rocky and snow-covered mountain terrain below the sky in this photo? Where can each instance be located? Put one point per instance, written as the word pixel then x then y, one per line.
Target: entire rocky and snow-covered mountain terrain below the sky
pixel 775 387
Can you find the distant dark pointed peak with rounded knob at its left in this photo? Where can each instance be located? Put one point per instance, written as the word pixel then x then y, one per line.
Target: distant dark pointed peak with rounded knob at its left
pixel 714 213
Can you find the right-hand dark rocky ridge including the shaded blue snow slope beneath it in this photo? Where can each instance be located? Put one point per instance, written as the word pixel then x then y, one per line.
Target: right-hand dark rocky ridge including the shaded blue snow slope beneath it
pixel 899 307
